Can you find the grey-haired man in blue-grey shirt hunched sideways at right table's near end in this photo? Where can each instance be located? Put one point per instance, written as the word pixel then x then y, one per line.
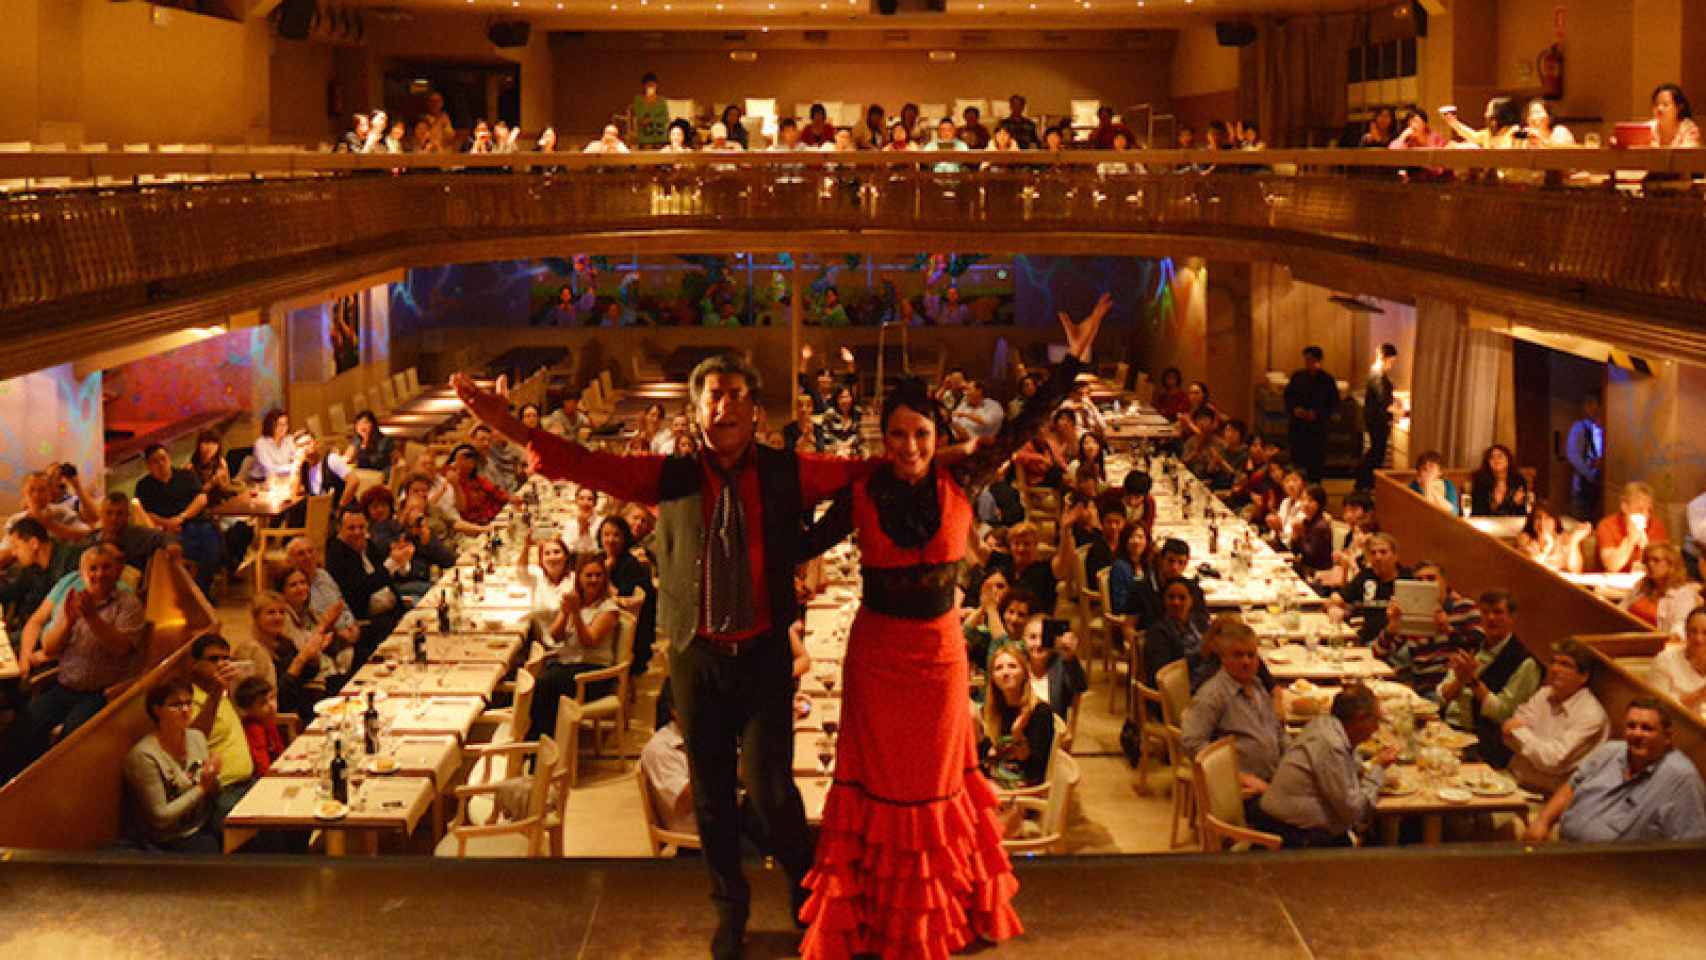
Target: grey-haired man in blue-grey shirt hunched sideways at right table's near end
pixel 1320 792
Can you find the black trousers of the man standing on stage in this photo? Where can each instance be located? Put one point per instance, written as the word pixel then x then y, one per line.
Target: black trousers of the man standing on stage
pixel 736 714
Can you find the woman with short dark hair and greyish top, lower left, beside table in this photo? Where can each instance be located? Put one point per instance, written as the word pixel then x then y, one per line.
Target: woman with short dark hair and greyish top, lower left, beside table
pixel 171 780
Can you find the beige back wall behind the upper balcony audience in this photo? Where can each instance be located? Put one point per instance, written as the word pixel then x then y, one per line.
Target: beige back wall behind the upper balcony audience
pixel 593 84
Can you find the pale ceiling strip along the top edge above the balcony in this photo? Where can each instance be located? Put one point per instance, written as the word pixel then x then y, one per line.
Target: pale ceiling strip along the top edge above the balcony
pixel 857 14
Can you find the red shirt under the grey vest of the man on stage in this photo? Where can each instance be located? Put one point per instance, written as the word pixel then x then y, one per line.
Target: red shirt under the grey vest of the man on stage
pixel 637 478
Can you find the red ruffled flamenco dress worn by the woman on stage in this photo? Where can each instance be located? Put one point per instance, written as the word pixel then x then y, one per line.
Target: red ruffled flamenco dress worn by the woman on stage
pixel 910 860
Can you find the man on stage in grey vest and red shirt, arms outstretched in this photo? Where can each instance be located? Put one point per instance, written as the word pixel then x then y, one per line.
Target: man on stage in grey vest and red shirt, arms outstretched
pixel 728 543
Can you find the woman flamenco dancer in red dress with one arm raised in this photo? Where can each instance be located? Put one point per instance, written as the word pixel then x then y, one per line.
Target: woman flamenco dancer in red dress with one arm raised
pixel 910 860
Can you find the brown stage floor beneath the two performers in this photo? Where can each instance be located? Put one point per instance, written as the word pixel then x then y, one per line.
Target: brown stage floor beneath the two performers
pixel 1468 903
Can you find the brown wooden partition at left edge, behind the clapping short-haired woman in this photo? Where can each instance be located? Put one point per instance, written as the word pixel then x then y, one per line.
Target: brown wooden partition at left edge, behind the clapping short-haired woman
pixel 74 795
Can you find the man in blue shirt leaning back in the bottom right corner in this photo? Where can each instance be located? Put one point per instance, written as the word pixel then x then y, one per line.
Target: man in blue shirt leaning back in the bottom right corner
pixel 1632 790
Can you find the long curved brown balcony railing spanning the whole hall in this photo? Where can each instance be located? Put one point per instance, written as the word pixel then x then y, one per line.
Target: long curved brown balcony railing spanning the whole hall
pixel 120 231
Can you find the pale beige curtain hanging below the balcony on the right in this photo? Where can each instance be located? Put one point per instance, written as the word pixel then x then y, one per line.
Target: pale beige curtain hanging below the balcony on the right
pixel 1461 386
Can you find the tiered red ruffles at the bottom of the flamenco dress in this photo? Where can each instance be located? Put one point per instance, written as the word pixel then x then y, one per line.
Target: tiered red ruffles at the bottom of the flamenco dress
pixel 908 881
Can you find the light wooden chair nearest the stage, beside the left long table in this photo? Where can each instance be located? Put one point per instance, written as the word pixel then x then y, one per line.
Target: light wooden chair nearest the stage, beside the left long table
pixel 504 835
